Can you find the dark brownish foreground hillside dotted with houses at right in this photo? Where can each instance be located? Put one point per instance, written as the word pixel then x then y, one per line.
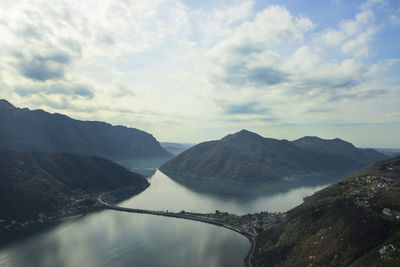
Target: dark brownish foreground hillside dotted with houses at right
pixel 355 222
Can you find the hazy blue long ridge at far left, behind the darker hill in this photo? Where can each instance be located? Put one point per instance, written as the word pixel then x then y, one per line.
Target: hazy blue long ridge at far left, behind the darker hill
pixel 37 130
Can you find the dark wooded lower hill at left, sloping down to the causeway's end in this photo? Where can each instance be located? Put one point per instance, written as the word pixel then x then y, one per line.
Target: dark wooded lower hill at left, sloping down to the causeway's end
pixel 35 182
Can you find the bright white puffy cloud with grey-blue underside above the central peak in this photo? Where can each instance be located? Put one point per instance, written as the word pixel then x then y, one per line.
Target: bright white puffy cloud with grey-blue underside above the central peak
pixel 246 58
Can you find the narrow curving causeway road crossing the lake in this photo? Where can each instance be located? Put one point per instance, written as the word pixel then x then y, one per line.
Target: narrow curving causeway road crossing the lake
pixel 190 216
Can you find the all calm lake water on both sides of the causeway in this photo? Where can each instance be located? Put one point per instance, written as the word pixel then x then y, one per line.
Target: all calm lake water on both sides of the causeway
pixel 111 238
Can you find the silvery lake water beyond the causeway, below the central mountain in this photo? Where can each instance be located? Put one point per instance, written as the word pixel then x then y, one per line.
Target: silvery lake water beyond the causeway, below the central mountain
pixel 167 194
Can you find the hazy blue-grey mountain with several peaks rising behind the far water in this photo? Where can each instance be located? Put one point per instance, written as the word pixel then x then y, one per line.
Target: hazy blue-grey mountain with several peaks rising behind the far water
pixel 247 157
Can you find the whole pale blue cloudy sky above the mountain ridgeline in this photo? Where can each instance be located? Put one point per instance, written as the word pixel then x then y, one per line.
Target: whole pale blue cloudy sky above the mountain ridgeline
pixel 191 71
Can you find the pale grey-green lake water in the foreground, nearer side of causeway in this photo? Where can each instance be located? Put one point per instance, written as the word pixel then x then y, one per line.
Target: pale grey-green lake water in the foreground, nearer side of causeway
pixel 112 238
